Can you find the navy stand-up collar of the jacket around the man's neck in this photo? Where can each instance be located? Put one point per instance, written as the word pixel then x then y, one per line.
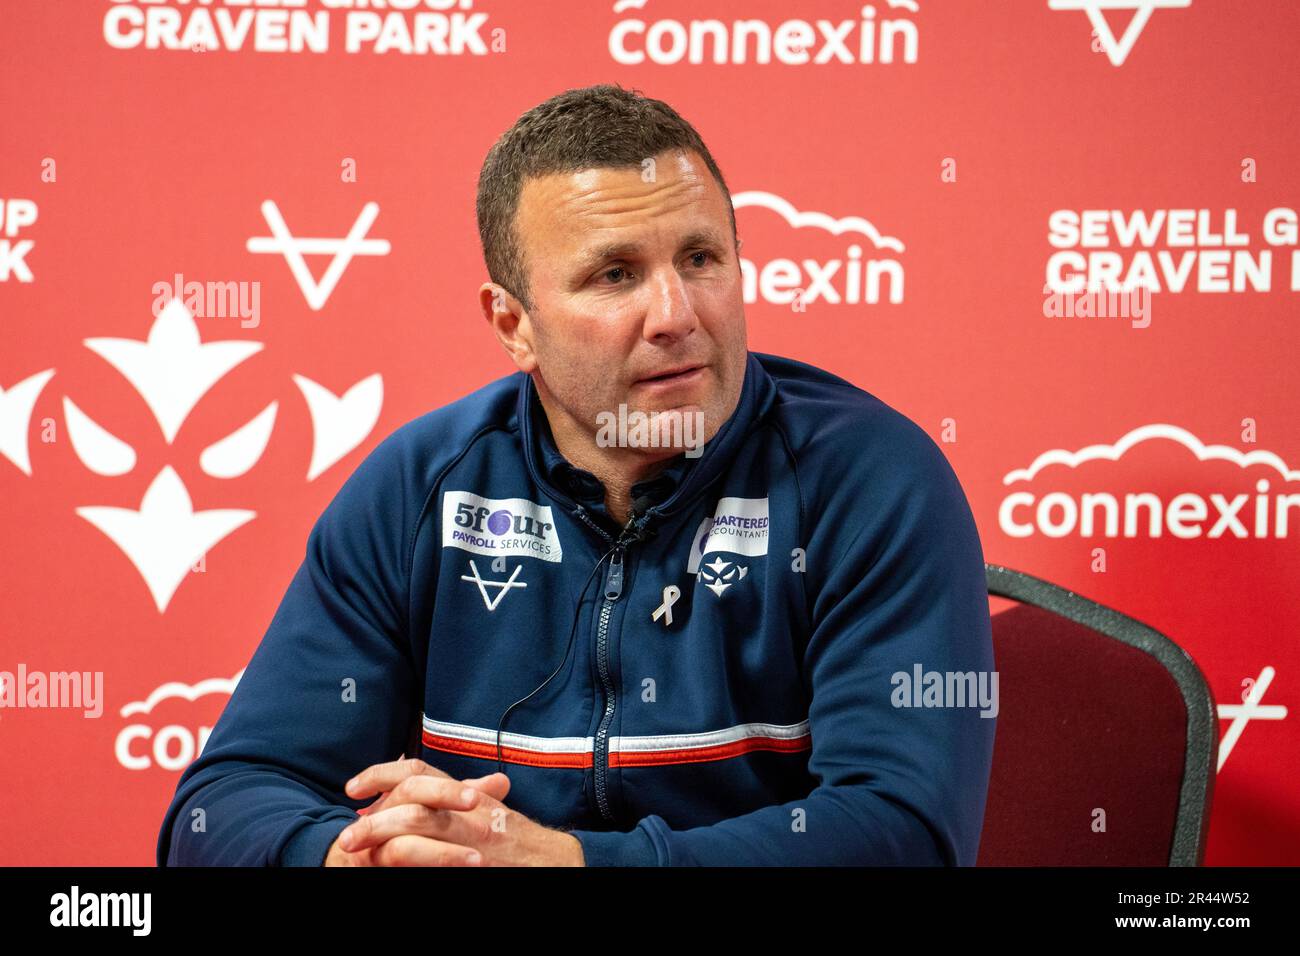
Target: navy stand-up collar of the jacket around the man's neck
pixel 674 488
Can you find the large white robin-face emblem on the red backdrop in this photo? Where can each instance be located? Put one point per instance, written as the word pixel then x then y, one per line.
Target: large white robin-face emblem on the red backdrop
pixel 164 537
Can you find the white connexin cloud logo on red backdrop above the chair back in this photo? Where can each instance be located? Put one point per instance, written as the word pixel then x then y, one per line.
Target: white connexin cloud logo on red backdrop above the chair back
pixel 1233 513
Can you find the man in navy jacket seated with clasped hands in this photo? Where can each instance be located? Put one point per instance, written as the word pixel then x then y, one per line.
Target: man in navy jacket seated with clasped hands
pixel 729 693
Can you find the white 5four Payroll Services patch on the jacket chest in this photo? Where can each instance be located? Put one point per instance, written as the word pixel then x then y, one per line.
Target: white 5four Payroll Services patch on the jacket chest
pixel 500 526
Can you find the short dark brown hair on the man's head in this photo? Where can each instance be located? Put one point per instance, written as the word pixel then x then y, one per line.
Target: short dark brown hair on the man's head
pixel 597 127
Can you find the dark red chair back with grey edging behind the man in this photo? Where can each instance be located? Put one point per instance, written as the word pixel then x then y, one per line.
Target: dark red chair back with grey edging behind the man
pixel 1099 715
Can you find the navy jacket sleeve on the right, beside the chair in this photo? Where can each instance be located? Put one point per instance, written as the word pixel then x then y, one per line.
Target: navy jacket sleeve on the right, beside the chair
pixel 896 785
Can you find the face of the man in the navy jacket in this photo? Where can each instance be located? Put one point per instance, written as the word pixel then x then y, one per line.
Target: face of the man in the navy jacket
pixel 634 274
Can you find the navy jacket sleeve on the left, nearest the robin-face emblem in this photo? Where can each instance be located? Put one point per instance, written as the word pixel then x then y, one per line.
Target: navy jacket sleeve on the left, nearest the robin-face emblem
pixel 328 693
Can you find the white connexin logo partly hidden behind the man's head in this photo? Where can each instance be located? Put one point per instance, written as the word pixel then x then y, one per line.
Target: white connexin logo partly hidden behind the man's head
pixel 864 274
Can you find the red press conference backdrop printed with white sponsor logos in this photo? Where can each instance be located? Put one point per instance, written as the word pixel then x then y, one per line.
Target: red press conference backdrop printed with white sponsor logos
pixel 239 249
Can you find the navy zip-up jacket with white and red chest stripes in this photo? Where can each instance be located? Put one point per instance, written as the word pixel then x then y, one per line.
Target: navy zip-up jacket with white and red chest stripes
pixel 729 689
